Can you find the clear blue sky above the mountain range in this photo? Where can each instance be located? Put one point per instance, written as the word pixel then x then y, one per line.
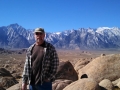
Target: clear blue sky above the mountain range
pixel 60 15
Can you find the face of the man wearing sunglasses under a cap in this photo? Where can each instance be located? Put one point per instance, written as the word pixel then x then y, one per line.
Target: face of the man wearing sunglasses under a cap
pixel 39 37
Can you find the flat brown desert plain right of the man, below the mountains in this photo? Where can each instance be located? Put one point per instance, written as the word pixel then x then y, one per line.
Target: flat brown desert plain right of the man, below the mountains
pixel 74 55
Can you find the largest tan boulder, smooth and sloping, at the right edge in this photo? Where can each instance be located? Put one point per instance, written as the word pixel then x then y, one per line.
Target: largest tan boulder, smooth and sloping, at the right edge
pixel 103 67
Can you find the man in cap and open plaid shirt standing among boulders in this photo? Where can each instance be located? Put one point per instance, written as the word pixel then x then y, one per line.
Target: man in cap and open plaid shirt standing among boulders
pixel 41 63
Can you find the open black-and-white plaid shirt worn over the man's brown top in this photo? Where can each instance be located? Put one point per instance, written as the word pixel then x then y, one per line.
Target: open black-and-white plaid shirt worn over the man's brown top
pixel 49 64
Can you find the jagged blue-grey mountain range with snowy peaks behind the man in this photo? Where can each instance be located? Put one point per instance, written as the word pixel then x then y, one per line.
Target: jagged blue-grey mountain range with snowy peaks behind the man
pixel 15 36
